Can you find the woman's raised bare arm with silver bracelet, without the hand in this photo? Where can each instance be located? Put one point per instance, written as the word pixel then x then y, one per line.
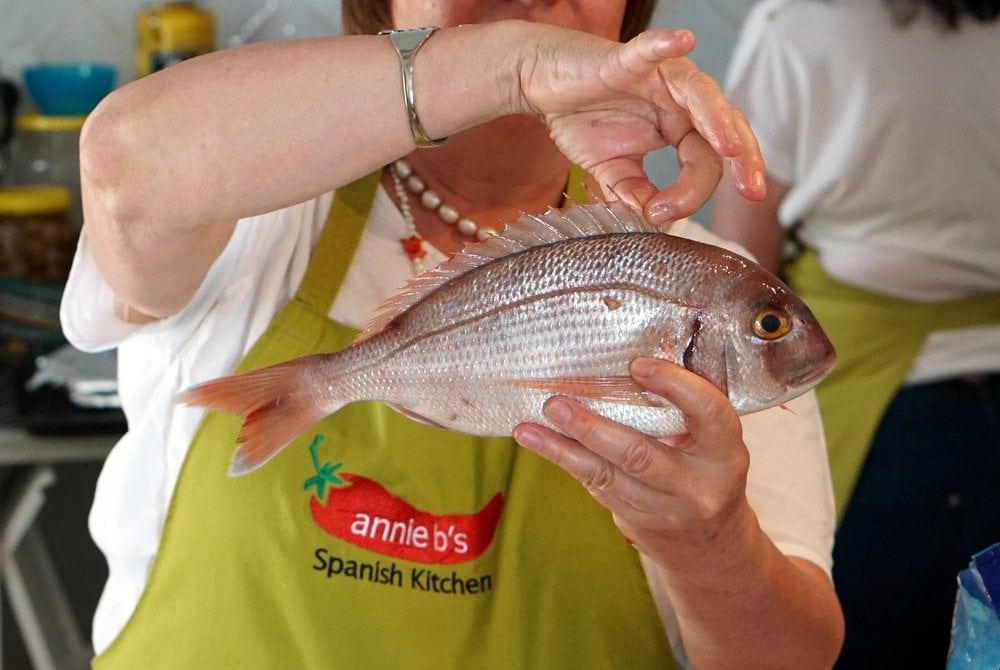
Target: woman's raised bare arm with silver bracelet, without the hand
pixel 171 161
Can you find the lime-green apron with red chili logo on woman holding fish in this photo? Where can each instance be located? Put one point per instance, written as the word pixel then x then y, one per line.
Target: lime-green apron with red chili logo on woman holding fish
pixel 377 542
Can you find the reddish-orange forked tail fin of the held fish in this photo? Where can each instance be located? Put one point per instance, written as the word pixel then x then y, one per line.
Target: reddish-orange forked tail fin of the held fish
pixel 277 404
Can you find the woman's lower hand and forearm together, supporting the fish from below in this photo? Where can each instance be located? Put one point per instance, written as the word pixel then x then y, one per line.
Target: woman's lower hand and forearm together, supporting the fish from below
pixel 740 602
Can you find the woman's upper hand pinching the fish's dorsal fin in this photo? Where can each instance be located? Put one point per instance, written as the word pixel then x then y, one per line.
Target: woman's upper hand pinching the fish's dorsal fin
pixel 608 105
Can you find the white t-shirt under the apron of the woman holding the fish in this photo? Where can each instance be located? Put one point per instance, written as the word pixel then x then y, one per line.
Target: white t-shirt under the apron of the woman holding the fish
pixel 789 484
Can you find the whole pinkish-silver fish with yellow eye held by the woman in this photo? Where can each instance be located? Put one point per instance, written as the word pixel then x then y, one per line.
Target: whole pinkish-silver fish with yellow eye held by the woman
pixel 557 303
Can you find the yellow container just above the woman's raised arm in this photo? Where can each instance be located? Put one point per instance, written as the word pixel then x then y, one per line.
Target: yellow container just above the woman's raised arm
pixel 170 32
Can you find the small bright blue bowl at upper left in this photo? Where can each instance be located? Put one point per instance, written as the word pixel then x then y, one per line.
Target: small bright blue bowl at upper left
pixel 68 89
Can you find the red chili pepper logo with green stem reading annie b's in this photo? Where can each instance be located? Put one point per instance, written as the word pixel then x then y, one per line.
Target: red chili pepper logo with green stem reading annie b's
pixel 367 515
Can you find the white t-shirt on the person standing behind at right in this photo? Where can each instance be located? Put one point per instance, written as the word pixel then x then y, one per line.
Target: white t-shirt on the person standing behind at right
pixel 889 138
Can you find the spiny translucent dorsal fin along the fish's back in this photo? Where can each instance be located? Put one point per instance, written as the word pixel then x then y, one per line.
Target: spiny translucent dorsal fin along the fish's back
pixel 527 231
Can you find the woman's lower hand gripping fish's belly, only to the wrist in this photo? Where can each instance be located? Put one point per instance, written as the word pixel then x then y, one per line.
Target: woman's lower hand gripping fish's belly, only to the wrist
pixel 672 497
